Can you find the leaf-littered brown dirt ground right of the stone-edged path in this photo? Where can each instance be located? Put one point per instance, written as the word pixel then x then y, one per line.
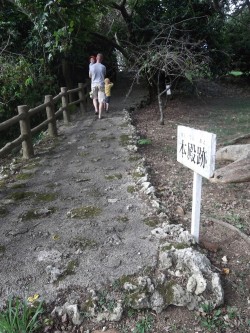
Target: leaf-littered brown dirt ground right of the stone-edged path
pixel 223 205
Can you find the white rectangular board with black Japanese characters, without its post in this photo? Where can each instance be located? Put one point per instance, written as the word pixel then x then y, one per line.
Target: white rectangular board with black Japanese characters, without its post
pixel 196 150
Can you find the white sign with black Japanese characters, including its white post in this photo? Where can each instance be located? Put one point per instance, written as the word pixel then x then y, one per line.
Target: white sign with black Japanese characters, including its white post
pixel 196 150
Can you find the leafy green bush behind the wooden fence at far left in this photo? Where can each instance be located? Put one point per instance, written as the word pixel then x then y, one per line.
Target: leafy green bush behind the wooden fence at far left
pixel 22 83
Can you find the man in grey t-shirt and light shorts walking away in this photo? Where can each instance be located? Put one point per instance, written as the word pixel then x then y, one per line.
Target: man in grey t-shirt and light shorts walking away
pixel 97 74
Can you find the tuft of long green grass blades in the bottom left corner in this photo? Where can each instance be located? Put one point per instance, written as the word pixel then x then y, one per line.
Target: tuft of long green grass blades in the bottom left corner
pixel 20 317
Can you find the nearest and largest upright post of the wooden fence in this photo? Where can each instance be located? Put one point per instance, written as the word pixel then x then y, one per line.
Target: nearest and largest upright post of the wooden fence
pixel 27 145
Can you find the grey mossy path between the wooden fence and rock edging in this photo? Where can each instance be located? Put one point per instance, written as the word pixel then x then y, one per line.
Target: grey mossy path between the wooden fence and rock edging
pixel 69 217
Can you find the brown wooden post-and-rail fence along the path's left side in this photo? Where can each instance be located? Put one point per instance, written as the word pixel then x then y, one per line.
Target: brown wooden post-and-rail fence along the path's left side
pixel 49 105
